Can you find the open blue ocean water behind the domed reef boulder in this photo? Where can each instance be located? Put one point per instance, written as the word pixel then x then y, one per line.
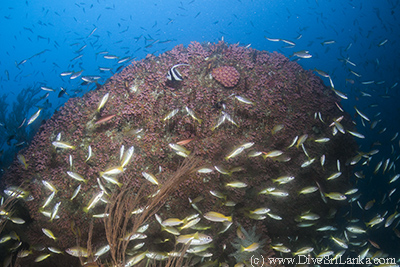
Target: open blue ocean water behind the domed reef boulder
pixel 355 42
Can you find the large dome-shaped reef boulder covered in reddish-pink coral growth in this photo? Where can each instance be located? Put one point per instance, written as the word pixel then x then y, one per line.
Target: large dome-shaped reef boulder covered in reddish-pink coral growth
pixel 243 138
